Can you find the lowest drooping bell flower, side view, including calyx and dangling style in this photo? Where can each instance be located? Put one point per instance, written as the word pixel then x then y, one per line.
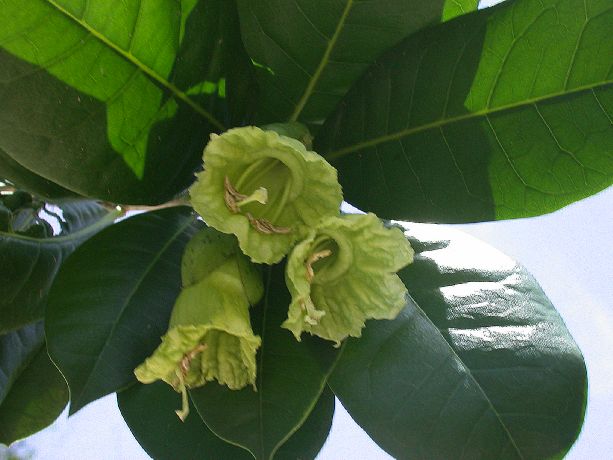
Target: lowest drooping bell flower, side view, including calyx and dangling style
pixel 210 335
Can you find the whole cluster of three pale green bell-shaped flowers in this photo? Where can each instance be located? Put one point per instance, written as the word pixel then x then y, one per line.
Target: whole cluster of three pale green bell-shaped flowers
pixel 278 199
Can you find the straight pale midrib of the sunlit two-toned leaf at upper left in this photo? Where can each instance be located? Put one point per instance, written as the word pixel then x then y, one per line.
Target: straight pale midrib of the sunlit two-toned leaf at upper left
pixel 144 68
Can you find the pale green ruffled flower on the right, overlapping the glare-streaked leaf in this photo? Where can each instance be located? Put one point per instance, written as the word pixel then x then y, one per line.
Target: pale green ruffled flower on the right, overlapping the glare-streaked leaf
pixel 344 273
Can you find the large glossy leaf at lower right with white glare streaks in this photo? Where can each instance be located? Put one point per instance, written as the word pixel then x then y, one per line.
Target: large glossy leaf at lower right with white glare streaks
pixel 479 365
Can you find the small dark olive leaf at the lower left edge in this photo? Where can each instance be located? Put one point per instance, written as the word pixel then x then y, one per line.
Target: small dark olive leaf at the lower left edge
pixel 32 391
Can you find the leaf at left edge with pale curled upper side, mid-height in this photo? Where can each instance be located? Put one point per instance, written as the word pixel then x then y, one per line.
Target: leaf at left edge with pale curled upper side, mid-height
pixel 34 262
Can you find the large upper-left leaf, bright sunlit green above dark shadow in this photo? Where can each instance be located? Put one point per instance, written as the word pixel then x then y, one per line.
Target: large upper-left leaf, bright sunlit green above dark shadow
pixel 114 101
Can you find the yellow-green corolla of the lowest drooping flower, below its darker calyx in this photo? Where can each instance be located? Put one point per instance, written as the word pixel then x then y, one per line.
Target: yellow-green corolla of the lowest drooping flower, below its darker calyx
pixel 214 321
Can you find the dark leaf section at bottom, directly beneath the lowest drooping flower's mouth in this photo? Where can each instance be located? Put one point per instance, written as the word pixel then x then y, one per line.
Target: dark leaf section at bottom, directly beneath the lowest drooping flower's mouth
pixel 149 411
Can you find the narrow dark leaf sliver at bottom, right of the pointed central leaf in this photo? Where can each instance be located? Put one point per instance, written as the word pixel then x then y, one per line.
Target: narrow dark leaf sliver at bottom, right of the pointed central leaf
pixel 310 438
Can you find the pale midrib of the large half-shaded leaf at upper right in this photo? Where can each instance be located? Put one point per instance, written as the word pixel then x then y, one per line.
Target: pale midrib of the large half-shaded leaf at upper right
pixel 483 113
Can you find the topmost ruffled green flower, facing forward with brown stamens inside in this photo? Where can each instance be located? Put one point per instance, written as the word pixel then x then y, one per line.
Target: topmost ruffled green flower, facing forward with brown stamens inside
pixel 265 188
